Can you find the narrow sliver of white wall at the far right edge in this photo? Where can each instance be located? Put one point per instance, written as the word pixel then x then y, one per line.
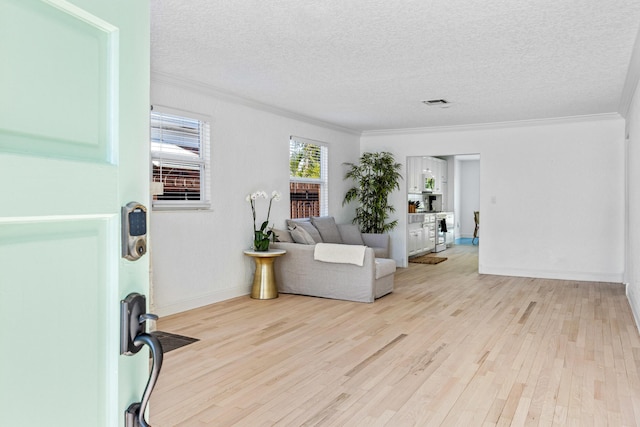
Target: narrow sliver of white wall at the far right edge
pixel 633 207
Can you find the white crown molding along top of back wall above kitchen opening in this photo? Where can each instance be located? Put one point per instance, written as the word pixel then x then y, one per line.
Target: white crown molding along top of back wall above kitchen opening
pixel 496 125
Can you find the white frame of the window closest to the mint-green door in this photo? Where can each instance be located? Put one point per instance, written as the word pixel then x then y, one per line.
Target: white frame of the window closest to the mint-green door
pixel 203 160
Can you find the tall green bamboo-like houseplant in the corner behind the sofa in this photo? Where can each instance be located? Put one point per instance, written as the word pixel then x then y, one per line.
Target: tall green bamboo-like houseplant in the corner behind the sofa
pixel 376 176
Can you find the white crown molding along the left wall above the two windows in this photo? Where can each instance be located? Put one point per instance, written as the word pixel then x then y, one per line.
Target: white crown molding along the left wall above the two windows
pixel 203 88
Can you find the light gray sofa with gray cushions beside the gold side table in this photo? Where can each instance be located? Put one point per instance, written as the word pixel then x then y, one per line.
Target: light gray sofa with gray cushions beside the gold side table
pixel 298 272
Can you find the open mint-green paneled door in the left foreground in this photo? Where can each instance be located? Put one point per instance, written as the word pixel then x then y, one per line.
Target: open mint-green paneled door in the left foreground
pixel 73 148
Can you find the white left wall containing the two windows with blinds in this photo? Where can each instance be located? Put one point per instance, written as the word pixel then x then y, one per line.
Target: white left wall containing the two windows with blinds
pixel 197 256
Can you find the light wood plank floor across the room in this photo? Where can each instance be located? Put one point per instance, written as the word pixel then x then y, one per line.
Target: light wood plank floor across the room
pixel 447 347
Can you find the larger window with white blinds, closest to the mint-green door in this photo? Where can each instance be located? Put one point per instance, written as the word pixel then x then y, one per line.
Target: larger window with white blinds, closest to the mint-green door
pixel 179 147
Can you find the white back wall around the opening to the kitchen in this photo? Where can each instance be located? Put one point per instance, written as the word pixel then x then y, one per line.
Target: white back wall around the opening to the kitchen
pixel 552 194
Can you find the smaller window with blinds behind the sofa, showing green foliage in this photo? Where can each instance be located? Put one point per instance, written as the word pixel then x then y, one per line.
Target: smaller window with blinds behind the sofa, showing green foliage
pixel 308 178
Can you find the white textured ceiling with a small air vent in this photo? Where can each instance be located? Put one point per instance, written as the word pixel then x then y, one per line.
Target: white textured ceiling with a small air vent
pixel 368 64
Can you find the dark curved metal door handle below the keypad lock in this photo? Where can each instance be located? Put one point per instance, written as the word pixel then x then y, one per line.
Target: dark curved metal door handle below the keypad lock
pixel 133 315
